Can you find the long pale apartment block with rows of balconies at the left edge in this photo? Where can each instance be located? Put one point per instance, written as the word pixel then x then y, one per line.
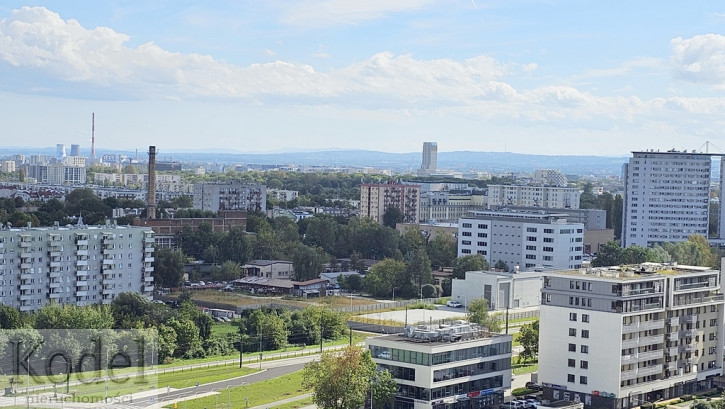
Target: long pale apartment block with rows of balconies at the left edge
pixel 74 265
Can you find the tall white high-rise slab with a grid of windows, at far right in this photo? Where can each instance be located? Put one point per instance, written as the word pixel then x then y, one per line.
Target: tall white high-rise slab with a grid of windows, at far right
pixel 667 197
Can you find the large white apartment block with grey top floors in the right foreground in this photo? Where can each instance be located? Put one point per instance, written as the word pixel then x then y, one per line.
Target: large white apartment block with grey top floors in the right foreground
pixel 614 338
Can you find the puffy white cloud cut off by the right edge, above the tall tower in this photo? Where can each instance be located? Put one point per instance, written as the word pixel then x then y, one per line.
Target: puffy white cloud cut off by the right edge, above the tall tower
pixel 700 59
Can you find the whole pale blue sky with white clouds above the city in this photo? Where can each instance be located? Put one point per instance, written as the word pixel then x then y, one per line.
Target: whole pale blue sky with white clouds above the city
pixel 541 77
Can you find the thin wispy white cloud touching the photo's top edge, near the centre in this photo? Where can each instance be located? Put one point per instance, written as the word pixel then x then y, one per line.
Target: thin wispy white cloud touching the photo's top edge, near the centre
pixel 323 13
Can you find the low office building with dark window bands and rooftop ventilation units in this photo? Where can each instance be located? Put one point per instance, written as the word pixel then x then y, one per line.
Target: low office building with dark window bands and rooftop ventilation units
pixel 457 366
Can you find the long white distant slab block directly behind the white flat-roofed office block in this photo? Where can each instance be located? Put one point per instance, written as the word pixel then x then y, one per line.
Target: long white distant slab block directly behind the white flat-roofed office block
pixel 550 197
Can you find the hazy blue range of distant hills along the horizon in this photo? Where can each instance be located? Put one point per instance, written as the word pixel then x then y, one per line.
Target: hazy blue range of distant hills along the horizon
pixel 400 162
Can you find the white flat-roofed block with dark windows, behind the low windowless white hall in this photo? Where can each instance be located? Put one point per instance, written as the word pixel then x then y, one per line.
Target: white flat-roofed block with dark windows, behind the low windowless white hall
pixel 527 240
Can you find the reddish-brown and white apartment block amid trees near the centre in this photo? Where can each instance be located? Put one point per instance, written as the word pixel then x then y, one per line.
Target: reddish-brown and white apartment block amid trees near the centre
pixel 375 199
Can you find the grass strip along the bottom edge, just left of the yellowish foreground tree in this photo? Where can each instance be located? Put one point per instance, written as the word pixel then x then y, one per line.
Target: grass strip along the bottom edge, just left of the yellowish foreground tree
pixel 258 393
